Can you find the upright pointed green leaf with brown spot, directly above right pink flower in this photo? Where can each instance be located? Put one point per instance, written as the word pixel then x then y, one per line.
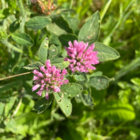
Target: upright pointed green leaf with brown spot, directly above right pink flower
pixel 90 30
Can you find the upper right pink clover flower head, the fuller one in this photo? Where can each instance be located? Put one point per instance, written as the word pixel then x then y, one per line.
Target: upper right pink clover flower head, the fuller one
pixel 81 57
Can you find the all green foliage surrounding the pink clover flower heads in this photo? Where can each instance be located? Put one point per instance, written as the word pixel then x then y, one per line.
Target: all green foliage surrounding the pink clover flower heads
pixel 92 106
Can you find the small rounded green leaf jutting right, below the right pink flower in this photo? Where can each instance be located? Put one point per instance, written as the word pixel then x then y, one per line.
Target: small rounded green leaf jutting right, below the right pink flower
pixel 99 82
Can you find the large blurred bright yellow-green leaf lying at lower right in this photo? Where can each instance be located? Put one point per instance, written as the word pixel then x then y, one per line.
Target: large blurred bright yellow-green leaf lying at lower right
pixel 115 110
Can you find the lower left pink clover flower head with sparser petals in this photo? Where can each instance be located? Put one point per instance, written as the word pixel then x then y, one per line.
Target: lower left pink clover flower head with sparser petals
pixel 48 79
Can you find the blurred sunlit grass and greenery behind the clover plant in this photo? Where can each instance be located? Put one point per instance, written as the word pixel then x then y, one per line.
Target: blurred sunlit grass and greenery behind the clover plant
pixel 109 119
